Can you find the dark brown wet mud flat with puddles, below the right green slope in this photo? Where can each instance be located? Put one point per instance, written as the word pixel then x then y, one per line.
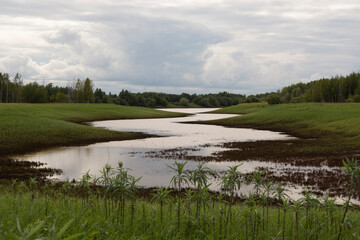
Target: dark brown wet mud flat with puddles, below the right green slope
pixel 293 163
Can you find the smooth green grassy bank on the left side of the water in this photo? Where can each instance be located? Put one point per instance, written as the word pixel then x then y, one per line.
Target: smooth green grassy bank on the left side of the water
pixel 31 127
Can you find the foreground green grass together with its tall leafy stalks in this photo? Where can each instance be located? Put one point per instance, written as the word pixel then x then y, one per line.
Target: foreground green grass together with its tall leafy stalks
pixel 86 211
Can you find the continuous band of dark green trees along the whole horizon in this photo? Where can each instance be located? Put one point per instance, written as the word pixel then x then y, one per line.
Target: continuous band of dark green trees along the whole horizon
pixel 334 89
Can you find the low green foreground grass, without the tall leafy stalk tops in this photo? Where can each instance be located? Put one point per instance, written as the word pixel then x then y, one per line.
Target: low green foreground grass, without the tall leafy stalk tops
pixel 47 210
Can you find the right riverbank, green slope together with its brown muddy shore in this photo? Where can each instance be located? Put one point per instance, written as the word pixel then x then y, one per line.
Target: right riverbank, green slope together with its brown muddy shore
pixel 325 135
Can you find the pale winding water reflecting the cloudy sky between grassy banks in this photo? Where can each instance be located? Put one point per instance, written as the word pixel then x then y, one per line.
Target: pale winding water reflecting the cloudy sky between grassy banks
pixel 145 157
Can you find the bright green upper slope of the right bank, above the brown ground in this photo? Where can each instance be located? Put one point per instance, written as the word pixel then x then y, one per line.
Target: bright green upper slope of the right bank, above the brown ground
pixel 303 120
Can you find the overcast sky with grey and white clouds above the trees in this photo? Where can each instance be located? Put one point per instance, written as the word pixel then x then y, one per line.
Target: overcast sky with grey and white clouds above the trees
pixel 174 46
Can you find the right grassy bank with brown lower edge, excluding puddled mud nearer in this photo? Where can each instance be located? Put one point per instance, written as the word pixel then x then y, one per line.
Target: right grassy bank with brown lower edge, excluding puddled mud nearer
pixel 324 131
